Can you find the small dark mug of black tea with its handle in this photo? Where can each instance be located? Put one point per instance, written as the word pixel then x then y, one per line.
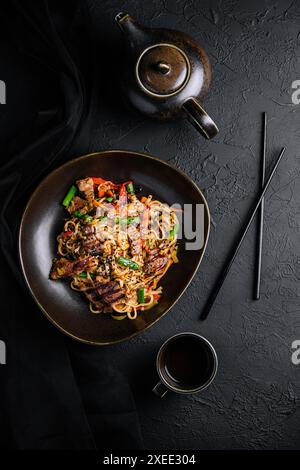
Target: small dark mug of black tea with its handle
pixel 186 363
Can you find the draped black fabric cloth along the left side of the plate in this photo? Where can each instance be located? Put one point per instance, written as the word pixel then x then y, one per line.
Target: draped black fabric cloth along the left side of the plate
pixel 55 393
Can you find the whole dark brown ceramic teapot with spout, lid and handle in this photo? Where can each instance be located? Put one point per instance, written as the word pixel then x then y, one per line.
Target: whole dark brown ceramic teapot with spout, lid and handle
pixel 166 74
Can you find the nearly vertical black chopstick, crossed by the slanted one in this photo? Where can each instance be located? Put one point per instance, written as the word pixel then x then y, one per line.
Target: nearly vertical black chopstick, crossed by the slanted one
pixel 261 213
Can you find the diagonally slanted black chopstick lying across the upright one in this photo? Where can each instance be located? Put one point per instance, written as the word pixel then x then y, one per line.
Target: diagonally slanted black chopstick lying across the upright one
pixel 235 249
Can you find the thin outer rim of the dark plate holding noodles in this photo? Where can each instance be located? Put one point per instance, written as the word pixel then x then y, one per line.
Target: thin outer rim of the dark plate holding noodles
pixel 69 163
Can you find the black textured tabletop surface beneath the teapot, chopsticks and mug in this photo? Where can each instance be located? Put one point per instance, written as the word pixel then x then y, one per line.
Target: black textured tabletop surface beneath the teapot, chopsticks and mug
pixel 255 54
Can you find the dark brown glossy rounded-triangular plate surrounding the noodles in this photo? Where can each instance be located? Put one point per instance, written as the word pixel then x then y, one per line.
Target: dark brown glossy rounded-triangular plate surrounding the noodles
pixel 43 220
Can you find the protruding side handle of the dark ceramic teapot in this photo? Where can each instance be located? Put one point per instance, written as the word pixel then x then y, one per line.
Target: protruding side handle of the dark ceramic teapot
pixel 199 118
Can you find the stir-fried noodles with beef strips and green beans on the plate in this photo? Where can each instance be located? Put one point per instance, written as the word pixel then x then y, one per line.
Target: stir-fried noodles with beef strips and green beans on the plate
pixel 115 247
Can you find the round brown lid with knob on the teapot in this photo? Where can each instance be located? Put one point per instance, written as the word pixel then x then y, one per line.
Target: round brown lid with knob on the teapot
pixel 163 70
